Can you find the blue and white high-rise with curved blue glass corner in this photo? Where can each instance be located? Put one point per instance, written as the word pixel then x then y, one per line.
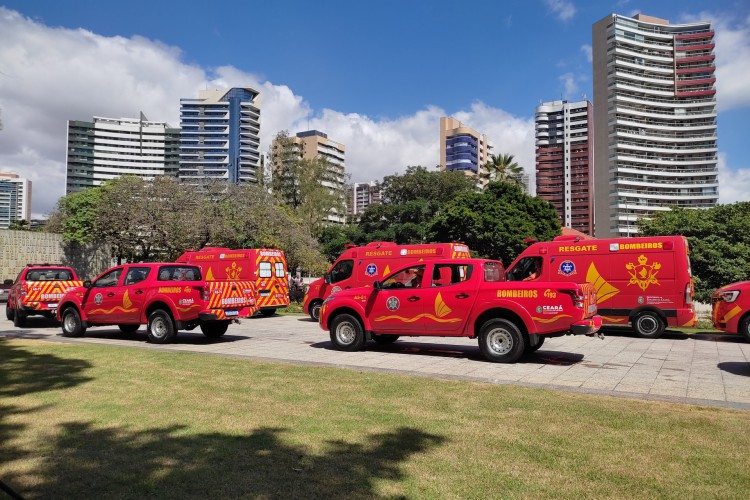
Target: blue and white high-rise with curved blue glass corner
pixel 220 136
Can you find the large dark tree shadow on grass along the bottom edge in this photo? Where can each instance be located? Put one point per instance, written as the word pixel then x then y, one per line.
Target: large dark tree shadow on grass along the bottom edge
pixel 169 462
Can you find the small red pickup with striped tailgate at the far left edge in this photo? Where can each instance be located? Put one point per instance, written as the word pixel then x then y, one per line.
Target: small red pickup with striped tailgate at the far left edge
pixel 37 290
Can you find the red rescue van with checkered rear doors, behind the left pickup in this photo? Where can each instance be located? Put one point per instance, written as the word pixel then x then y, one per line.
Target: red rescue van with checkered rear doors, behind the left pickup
pixel 266 267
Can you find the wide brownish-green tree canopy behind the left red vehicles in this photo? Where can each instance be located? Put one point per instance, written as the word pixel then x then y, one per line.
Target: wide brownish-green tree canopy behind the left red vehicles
pixel 159 219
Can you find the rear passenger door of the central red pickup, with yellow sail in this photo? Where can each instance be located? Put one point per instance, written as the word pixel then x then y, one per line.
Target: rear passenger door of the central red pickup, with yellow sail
pixel 448 296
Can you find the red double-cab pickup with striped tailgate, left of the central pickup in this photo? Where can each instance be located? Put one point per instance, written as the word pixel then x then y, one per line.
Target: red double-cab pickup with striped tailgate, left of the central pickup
pixel 167 297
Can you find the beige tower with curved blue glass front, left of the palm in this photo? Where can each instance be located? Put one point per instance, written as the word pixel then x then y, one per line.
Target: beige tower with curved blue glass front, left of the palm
pixel 461 147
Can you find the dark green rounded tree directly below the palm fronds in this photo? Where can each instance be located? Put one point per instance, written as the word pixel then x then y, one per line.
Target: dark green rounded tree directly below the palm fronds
pixel 495 222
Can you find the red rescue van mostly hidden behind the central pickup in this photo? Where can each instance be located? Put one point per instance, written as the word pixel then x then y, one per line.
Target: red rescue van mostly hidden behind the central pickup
pixel 360 266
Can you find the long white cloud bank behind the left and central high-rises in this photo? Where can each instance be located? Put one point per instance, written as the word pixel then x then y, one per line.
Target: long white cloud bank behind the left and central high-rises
pixel 51 75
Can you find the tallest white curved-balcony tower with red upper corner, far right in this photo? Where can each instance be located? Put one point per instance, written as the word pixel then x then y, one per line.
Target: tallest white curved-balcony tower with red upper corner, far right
pixel 655 117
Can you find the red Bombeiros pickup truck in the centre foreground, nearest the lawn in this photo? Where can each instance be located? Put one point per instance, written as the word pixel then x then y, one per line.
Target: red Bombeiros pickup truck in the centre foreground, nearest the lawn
pixel 461 298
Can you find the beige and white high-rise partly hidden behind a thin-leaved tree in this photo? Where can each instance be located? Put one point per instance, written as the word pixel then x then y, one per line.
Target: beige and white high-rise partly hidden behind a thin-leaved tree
pixel 312 144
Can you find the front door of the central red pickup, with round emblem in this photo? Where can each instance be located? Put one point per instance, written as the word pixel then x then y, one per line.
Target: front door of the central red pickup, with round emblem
pixel 399 305
